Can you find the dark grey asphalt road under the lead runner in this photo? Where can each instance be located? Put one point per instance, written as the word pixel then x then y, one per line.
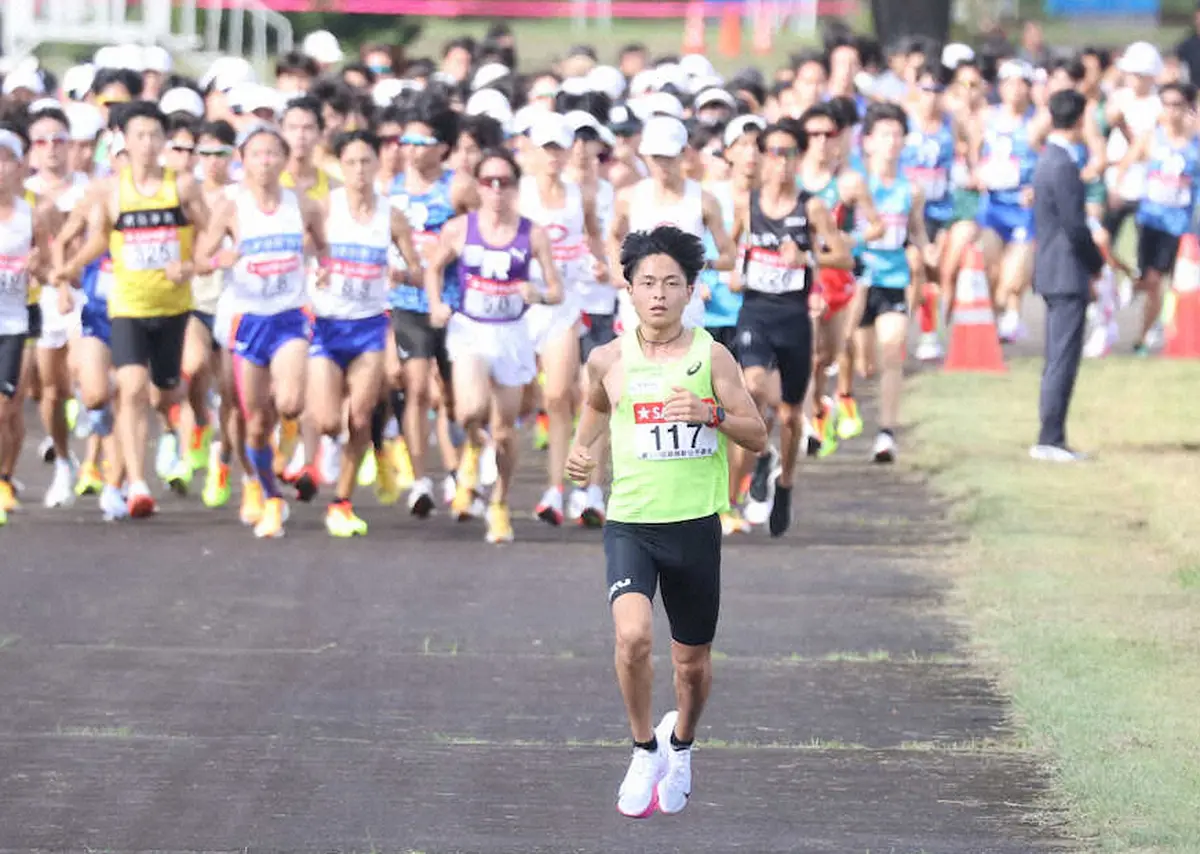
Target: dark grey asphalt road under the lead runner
pixel 176 685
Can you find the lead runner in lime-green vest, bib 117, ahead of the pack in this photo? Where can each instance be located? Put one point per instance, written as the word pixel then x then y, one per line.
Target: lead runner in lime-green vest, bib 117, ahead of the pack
pixel 673 398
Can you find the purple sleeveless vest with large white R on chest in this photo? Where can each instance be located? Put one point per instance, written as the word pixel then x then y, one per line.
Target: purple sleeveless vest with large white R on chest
pixel 491 276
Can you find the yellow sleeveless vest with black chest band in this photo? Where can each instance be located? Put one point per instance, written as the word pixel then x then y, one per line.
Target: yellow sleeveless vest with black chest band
pixel 152 232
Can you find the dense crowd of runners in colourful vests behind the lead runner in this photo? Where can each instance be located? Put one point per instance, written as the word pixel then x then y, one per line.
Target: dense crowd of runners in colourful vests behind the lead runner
pixel 362 274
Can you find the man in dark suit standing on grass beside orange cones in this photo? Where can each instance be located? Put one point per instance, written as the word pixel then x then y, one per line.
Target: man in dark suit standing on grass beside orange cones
pixel 1066 262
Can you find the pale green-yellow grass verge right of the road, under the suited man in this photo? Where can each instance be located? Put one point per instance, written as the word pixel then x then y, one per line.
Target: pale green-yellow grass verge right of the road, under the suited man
pixel 1082 585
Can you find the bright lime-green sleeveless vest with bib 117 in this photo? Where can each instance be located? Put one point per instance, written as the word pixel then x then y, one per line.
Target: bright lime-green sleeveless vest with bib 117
pixel 665 471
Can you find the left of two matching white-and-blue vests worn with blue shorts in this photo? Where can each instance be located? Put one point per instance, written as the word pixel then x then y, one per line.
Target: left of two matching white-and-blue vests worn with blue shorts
pixel 269 276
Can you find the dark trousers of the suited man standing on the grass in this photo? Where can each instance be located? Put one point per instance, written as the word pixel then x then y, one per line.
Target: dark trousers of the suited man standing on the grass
pixel 1066 322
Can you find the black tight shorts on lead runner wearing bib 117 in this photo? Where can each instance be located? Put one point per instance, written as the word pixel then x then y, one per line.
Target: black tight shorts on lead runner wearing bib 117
pixel 683 558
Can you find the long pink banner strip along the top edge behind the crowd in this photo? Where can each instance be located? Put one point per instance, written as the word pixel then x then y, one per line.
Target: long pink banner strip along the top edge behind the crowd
pixel 524 9
